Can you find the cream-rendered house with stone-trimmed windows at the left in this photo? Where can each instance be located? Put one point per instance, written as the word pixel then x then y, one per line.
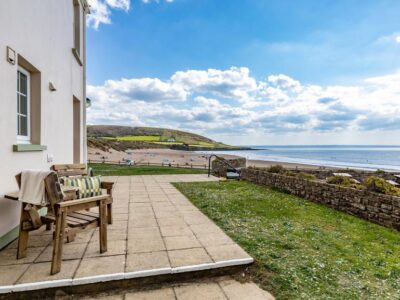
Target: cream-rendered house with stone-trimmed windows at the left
pixel 42 92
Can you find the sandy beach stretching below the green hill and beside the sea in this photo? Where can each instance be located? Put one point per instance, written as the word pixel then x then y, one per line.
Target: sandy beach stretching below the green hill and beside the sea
pixel 188 158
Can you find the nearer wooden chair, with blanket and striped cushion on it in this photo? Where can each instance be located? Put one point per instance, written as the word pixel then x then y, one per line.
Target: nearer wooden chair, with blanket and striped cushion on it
pixel 68 216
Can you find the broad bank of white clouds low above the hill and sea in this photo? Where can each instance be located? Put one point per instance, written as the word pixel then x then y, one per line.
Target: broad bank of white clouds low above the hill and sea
pixel 233 102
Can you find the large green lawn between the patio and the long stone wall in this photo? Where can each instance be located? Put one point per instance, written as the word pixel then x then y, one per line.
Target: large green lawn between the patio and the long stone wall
pixel 303 250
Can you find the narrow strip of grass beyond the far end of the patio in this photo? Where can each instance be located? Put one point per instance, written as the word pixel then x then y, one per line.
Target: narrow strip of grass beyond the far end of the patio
pixel 115 170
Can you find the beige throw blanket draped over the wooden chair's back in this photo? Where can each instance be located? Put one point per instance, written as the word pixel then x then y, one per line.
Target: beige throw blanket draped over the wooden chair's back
pixel 32 187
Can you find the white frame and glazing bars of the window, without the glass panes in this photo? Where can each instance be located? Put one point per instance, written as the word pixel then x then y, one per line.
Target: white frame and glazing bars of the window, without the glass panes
pixel 22 139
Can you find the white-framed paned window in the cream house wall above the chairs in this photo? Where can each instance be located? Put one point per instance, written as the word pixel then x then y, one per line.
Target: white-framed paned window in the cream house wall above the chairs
pixel 23 105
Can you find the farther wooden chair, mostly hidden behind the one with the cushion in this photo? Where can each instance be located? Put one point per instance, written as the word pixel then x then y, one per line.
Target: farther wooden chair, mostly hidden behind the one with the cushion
pixel 66 170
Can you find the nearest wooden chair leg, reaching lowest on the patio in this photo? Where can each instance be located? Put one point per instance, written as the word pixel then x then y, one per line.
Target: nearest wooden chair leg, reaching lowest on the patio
pixel 58 241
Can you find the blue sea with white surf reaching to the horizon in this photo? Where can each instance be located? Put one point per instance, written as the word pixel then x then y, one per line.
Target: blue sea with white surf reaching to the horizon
pixel 347 156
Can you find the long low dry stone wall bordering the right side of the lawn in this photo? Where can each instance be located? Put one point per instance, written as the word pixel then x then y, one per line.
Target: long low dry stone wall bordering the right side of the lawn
pixel 377 208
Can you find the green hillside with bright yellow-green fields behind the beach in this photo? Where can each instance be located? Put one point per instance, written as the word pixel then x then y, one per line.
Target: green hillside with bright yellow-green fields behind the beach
pixel 125 137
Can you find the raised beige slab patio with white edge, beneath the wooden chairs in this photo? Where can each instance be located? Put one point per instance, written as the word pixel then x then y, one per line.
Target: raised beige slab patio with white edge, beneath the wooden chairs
pixel 156 231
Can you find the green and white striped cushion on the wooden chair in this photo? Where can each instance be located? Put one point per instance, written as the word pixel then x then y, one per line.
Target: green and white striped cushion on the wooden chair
pixel 88 186
